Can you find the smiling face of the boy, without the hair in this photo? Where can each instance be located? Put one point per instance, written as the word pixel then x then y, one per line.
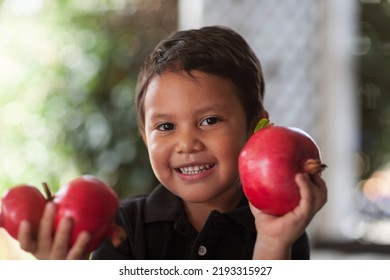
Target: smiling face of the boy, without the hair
pixel 194 131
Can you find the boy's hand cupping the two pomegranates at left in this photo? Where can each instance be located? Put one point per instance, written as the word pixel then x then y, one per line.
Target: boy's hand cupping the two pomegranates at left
pixel 47 246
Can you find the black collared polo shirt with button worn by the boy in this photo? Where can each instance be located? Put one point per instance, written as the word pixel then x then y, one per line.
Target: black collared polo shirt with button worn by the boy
pixel 157 228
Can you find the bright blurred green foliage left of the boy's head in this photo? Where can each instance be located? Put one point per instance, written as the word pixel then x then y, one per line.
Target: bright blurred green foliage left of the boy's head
pixel 67 77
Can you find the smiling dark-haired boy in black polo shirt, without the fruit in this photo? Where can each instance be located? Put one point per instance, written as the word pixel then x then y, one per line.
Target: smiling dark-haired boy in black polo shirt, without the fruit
pixel 199 97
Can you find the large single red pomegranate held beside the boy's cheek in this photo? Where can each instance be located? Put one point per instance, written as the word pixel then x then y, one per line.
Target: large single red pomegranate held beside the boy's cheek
pixel 269 162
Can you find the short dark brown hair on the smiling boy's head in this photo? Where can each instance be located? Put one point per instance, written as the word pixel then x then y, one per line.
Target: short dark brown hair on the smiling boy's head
pixel 214 50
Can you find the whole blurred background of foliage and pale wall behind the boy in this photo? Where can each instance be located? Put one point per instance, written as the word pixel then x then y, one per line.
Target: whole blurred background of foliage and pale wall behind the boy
pixel 68 71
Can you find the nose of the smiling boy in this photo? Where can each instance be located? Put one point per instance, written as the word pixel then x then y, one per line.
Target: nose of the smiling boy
pixel 188 141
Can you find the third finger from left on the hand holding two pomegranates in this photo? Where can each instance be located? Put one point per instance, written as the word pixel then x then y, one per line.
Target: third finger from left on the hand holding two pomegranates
pixel 61 240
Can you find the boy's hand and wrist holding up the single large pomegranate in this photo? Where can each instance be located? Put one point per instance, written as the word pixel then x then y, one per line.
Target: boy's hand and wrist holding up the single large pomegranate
pixel 275 235
